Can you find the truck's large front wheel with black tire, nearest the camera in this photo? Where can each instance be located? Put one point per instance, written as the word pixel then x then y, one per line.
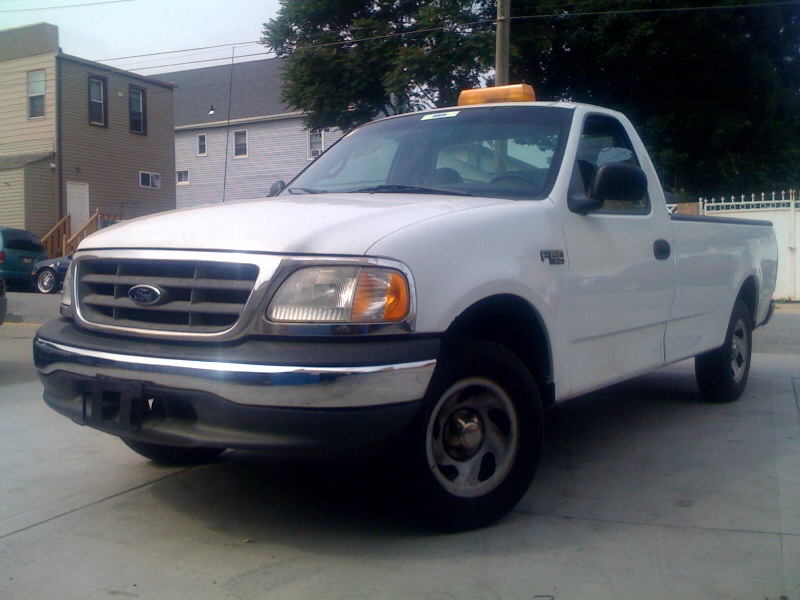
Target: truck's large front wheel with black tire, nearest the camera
pixel 475 443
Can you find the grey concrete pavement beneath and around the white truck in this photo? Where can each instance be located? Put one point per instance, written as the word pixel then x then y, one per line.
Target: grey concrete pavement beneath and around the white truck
pixel 643 492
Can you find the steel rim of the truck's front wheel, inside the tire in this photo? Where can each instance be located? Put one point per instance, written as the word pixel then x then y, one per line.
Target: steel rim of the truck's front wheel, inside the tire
pixel 472 437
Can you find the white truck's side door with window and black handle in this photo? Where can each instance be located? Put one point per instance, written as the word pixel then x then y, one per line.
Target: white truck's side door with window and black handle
pixel 621 272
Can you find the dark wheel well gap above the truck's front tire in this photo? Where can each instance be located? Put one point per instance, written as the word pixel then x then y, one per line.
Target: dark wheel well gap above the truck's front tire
pixel 512 322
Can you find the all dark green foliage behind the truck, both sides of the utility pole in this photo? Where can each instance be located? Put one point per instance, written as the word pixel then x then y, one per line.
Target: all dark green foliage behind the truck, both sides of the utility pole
pixel 714 93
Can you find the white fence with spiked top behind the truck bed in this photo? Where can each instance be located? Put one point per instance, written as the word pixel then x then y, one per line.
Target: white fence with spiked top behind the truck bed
pixel 783 209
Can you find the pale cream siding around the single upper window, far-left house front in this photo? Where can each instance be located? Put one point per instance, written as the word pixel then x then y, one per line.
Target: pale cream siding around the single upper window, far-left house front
pixel 18 133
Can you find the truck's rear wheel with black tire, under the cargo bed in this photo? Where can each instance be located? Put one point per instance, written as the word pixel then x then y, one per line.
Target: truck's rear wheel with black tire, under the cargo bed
pixel 722 373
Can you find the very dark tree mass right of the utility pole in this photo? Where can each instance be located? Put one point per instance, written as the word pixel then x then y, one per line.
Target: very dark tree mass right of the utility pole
pixel 714 93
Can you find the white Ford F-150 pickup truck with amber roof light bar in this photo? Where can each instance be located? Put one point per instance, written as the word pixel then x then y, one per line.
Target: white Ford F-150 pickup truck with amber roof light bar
pixel 431 283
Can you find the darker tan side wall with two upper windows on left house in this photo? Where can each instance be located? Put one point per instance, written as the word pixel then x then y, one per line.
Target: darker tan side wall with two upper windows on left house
pixel 110 158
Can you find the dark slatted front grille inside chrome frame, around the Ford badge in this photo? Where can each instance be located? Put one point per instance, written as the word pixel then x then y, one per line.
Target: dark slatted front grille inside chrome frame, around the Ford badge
pixel 196 297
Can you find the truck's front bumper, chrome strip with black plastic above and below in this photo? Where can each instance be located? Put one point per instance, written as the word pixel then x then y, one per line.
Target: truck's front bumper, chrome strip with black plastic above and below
pixel 200 396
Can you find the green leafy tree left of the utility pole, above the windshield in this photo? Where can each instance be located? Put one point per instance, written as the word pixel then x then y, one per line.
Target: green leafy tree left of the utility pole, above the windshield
pixel 348 61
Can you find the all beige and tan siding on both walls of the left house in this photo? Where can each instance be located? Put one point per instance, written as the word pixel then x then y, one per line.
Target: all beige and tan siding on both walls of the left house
pixel 106 159
